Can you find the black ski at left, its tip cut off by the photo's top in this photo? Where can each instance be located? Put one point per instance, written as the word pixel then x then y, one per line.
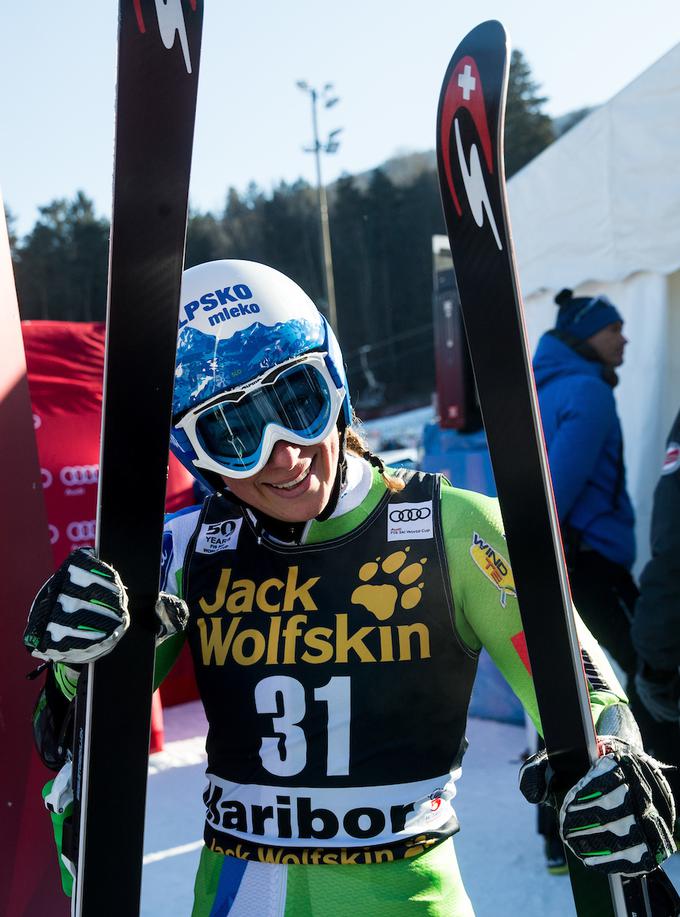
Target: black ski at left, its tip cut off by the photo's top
pixel 158 58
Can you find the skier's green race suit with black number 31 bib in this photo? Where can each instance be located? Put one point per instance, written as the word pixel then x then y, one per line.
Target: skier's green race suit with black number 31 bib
pixel 336 677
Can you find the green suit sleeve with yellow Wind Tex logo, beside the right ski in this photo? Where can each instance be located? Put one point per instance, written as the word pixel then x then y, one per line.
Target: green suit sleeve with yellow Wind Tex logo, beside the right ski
pixel 486 607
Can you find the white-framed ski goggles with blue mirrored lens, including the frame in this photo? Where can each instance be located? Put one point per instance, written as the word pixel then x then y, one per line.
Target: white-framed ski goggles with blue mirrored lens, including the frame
pixel 234 434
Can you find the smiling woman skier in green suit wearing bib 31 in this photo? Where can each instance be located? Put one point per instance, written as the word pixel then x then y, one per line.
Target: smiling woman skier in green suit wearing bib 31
pixel 336 611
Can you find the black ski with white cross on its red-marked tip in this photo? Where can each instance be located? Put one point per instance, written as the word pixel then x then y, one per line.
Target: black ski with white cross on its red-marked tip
pixel 471 173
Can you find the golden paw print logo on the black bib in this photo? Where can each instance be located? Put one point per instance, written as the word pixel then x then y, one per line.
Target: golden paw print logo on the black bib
pixel 381 598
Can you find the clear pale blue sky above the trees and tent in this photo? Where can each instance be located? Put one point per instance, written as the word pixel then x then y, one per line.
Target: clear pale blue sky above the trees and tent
pixel 386 59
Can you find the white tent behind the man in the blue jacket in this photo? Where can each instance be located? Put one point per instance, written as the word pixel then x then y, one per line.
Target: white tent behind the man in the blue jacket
pixel 599 211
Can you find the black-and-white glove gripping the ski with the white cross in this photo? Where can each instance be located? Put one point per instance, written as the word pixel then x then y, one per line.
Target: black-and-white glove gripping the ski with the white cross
pixel 619 818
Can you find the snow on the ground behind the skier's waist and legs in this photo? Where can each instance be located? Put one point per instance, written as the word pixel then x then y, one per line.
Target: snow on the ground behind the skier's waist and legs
pixel 500 854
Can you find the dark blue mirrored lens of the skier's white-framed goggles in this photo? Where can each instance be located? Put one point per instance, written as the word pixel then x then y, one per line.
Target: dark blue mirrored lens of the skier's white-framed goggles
pixel 232 432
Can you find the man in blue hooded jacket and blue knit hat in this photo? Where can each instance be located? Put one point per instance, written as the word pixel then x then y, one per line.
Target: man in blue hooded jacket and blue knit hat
pixel 575 369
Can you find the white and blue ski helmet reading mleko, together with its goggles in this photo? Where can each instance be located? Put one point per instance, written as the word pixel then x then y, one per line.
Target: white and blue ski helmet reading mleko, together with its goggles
pixel 256 363
